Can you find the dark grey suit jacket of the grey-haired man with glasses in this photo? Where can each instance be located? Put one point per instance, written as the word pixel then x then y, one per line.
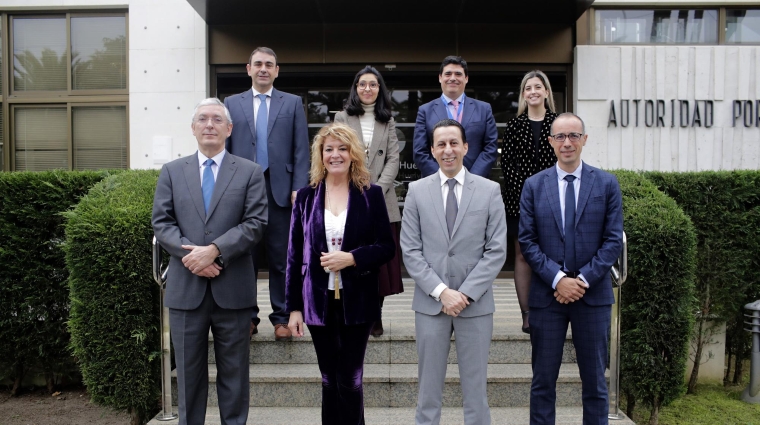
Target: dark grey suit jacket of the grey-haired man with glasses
pixel 235 223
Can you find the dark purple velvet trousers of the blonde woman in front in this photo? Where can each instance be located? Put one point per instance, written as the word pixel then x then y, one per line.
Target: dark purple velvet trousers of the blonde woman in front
pixel 340 352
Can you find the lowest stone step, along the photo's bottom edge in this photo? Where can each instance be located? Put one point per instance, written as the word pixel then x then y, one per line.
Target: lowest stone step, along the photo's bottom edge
pixel 390 416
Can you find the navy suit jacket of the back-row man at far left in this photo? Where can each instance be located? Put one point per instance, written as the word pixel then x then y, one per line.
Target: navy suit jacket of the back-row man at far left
pixel 287 141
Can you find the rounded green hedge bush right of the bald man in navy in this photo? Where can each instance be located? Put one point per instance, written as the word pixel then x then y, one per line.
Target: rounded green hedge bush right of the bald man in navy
pixel 658 298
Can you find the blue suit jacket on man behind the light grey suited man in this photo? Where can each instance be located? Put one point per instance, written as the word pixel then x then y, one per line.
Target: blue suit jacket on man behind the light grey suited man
pixel 480 132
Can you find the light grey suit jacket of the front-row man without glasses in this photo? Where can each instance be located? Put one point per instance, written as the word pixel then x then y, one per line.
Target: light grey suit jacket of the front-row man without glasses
pixel 471 259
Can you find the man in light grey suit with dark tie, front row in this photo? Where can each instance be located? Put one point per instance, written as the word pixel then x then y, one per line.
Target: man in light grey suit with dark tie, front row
pixel 453 236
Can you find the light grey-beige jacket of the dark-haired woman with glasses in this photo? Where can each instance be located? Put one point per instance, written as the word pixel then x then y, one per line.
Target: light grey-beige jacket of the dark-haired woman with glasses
pixel 382 159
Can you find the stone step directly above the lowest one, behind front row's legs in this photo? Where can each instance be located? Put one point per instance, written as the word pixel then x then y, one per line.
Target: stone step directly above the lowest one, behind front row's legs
pixel 393 385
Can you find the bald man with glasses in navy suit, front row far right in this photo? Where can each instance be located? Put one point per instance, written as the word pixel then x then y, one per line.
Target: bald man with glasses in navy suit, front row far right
pixel 570 249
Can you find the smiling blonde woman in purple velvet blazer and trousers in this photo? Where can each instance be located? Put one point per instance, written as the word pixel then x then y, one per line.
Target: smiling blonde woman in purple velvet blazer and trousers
pixel 339 238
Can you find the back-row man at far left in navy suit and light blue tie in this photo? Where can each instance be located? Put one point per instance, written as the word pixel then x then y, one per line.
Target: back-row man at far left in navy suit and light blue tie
pixel 273 133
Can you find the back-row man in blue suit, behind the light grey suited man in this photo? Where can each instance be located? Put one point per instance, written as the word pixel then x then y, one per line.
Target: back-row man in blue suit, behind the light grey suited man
pixel 475 116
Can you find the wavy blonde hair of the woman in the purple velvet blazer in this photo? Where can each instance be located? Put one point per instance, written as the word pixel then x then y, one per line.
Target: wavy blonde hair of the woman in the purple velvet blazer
pixel 358 173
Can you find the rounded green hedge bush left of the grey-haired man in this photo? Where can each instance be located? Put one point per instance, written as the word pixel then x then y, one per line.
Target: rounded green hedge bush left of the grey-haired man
pixel 114 318
